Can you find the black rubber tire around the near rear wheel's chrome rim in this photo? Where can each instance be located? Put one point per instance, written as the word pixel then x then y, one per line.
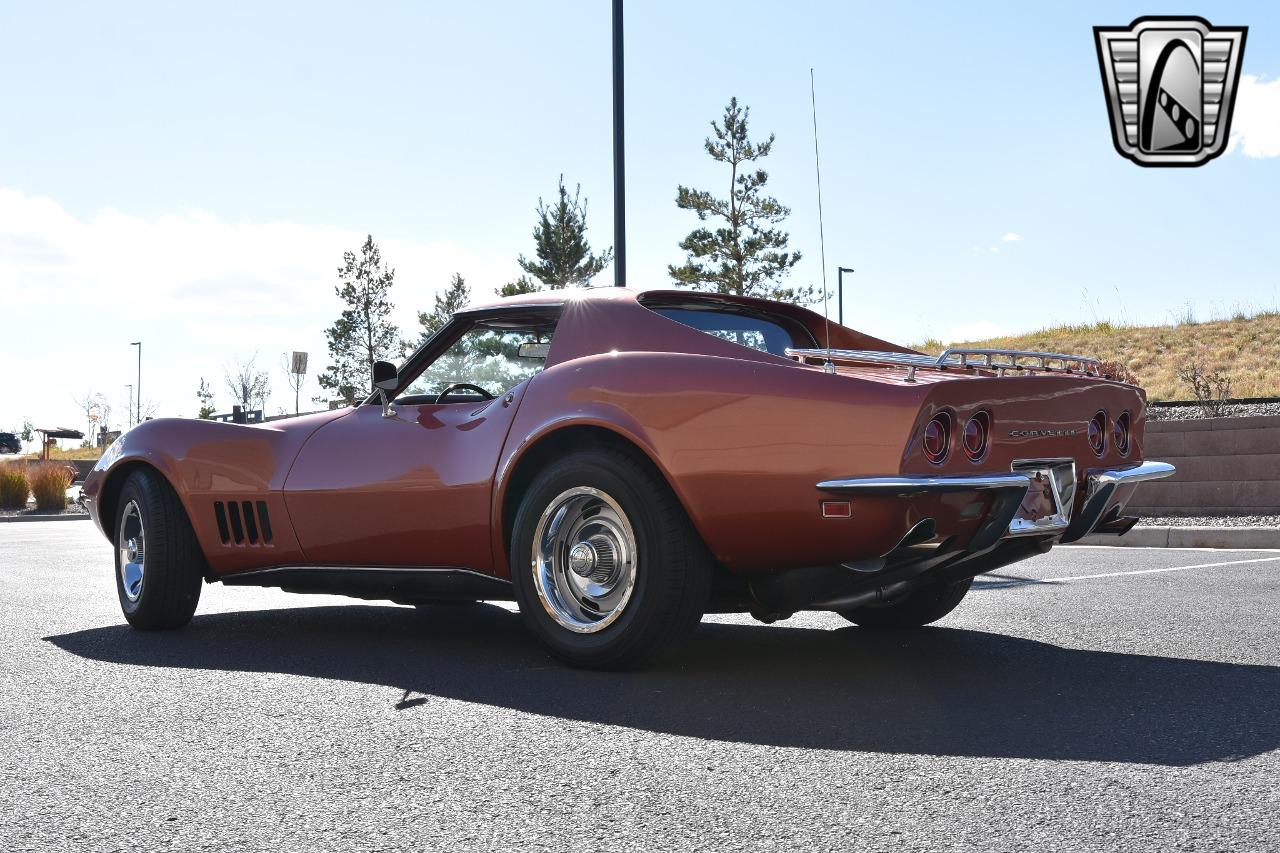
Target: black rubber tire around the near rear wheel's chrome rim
pixel 673 567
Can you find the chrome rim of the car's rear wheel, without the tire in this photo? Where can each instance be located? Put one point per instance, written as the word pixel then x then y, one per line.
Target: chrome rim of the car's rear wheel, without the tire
pixel 584 560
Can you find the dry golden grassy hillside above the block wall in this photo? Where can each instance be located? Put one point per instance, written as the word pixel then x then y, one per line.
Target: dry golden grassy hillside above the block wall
pixel 1245 349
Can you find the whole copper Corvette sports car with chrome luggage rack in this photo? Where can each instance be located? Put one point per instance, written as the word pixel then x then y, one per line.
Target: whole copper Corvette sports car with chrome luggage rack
pixel 621 463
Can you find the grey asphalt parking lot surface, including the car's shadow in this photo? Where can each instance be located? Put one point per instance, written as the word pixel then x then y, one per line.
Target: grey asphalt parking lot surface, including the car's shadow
pixel 1092 700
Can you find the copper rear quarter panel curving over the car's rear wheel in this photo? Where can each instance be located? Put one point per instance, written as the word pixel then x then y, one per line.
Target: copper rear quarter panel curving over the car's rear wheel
pixel 742 443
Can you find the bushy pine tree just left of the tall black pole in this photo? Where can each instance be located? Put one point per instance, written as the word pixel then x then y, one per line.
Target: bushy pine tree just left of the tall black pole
pixel 565 258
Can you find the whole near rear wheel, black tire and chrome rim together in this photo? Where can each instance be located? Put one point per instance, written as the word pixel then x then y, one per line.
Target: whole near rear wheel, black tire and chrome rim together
pixel 606 567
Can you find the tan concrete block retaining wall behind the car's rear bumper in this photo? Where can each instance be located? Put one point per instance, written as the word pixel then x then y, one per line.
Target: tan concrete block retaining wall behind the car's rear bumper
pixel 1226 466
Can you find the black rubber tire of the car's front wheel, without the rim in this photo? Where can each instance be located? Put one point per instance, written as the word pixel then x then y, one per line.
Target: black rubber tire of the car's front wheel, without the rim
pixel 173 563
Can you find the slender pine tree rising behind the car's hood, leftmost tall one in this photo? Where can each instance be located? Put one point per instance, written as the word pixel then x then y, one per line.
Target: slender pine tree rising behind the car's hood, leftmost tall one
pixel 364 332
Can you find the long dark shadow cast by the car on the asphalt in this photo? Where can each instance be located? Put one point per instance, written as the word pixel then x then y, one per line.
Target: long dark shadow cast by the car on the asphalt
pixel 935 691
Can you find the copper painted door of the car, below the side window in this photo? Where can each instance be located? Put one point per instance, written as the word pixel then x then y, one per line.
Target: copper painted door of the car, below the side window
pixel 413 490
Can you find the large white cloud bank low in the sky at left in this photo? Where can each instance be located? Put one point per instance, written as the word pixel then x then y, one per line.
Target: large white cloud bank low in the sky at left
pixel 198 290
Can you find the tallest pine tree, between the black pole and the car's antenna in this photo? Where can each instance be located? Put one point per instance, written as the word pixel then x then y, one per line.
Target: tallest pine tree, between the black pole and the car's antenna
pixel 746 257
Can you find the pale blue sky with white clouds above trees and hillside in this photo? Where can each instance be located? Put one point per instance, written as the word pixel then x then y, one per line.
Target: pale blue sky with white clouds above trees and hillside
pixel 191 175
